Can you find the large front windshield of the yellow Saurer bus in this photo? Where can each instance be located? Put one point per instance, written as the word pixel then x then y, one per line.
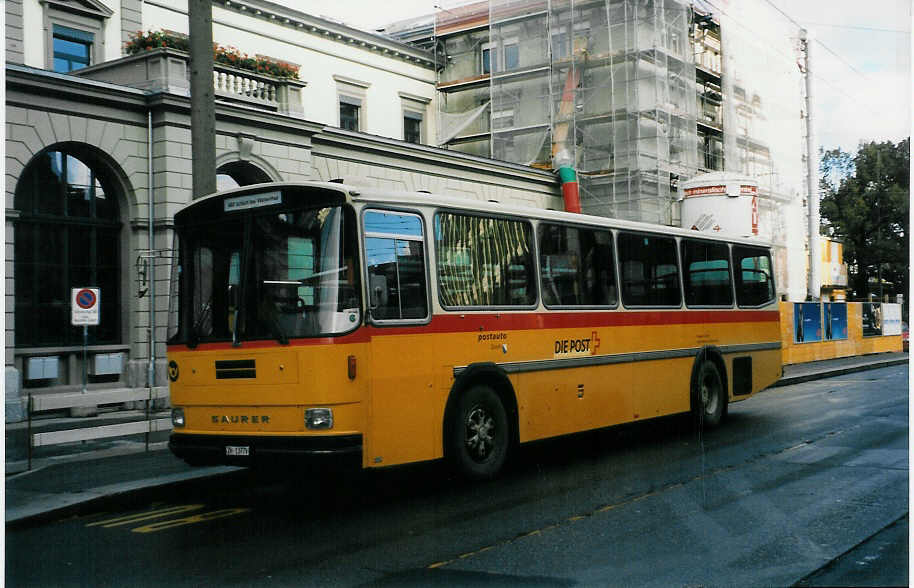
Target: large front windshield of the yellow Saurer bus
pixel 271 275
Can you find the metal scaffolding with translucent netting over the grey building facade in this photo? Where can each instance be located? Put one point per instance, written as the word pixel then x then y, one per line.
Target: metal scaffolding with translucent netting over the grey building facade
pixel 610 84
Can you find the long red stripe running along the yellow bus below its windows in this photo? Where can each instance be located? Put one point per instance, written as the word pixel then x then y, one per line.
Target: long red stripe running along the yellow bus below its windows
pixel 468 322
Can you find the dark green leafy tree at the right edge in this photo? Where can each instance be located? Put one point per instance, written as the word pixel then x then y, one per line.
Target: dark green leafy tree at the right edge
pixel 865 204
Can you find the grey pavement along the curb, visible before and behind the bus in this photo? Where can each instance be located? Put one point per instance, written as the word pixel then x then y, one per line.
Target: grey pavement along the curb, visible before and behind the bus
pixel 61 484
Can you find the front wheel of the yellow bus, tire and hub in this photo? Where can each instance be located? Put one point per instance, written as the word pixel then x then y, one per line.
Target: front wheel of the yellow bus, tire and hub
pixel 479 434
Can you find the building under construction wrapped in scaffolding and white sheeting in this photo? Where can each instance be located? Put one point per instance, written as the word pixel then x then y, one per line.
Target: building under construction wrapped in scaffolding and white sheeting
pixel 636 95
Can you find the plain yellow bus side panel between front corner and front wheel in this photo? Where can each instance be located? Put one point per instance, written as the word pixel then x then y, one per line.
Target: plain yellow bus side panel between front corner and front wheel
pixel 404 407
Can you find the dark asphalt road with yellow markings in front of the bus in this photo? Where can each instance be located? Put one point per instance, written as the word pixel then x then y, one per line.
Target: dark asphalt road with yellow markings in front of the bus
pixel 803 484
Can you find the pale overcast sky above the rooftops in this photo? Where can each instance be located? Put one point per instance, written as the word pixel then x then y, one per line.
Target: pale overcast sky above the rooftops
pixel 862 65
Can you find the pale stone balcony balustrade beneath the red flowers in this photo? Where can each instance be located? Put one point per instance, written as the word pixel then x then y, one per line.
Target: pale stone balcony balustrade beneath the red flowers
pixel 166 69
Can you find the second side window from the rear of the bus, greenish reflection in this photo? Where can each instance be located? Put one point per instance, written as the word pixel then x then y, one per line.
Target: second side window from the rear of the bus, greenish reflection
pixel 706 273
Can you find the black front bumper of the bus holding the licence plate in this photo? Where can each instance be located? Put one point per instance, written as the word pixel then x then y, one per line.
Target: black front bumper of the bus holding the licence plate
pixel 251 449
